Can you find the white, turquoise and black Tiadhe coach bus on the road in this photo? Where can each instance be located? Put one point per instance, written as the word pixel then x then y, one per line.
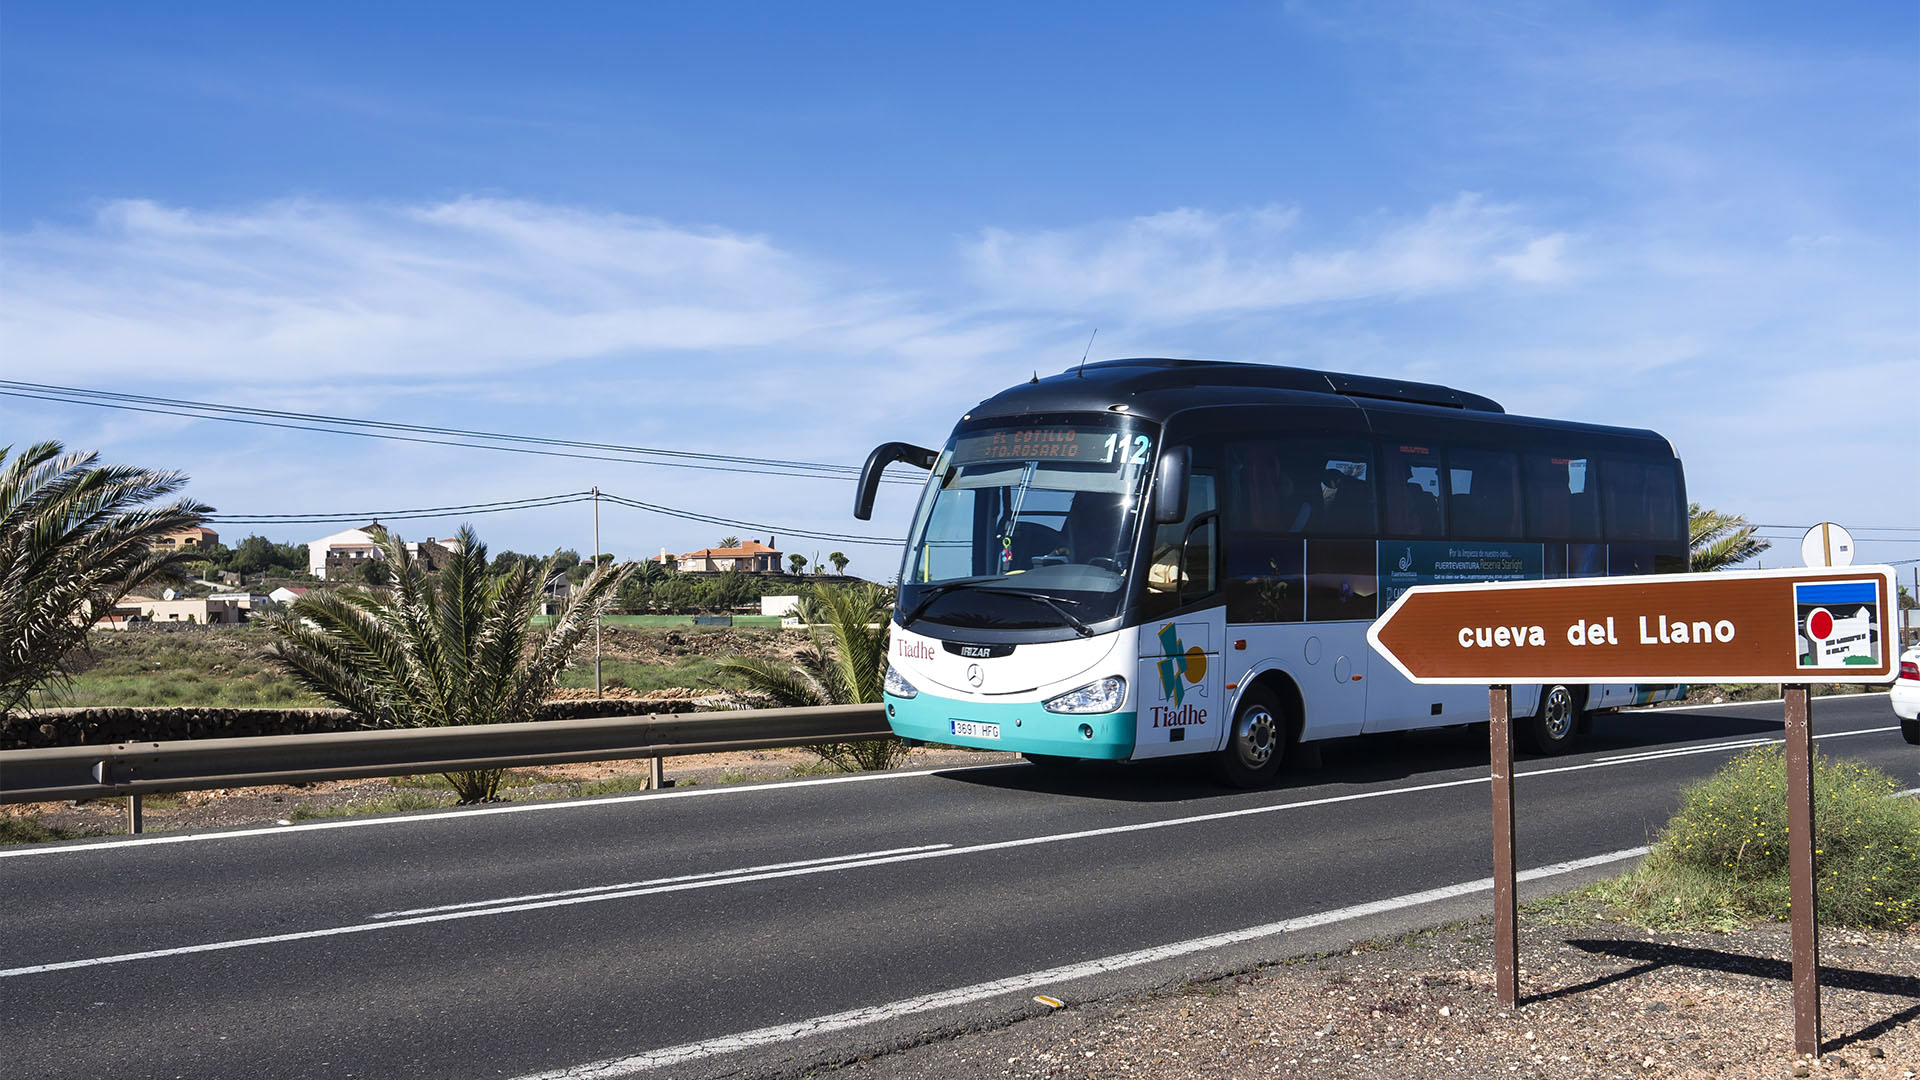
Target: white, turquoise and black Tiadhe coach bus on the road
pixel 1153 558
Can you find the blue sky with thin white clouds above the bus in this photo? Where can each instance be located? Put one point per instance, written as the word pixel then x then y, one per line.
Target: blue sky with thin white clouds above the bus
pixel 800 232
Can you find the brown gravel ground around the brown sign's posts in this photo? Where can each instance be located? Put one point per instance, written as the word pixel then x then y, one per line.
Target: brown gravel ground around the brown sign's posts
pixel 1598 1000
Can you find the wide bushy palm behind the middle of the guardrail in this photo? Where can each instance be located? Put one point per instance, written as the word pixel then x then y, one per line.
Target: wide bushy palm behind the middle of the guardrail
pixel 441 650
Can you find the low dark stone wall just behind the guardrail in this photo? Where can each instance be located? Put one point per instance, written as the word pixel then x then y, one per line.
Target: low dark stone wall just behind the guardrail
pixel 103 727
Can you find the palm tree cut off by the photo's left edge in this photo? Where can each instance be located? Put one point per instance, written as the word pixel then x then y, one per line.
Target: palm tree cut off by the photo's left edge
pixel 76 539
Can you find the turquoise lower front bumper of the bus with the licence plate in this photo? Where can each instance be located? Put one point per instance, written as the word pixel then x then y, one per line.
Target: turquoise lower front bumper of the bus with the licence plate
pixel 1020 727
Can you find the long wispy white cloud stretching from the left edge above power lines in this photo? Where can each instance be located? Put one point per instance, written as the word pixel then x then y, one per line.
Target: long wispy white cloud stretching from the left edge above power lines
pixel 308 291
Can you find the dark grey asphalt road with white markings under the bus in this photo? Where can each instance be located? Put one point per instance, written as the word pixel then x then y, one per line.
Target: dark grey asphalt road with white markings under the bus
pixel 769 929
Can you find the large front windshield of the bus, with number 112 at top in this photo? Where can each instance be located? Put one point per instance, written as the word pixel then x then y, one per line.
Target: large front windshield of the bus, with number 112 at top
pixel 1028 524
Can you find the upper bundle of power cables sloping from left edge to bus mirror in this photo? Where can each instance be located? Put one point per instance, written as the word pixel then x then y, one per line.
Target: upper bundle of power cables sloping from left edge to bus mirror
pixel 460 437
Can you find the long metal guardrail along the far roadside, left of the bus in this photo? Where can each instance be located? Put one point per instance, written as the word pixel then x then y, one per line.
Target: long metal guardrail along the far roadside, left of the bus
pixel 197 766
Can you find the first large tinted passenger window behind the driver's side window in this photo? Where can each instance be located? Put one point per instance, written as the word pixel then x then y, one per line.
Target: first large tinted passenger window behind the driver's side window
pixel 1299 487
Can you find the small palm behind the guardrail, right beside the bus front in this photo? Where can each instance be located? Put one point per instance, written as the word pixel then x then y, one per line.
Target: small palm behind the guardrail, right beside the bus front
pixel 844 668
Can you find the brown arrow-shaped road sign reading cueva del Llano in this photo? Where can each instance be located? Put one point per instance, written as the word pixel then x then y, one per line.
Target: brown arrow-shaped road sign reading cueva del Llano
pixel 1804 626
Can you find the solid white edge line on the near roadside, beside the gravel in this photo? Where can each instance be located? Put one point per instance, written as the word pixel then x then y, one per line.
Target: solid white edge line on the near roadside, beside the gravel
pixel 1036 979
